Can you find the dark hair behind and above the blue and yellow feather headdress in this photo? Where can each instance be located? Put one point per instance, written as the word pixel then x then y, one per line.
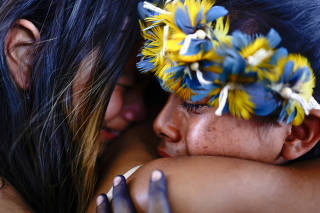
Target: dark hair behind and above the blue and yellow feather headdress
pixel 297 21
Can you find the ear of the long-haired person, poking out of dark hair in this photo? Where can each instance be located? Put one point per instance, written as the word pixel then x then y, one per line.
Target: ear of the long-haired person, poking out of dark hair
pixel 19 51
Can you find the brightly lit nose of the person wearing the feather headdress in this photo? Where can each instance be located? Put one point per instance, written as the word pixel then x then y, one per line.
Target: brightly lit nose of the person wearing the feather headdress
pixel 166 125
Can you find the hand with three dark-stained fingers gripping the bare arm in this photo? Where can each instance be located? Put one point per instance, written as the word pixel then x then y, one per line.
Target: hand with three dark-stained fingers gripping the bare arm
pixel 157 203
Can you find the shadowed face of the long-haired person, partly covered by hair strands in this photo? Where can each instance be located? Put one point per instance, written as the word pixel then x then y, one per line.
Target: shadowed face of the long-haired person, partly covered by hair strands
pixel 126 103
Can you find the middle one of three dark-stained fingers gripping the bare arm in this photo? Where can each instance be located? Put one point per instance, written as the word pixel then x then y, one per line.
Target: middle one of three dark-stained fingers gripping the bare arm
pixel 121 198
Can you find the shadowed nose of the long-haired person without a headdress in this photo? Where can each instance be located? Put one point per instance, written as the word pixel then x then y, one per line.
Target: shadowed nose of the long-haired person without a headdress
pixel 134 108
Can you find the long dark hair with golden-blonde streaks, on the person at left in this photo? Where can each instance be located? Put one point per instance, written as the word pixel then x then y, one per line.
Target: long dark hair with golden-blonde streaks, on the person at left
pixel 48 150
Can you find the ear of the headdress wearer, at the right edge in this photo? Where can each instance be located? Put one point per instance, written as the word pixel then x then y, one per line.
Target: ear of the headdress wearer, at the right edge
pixel 302 138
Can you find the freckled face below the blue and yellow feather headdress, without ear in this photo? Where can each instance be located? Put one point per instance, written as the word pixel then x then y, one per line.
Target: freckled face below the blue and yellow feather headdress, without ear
pixel 196 130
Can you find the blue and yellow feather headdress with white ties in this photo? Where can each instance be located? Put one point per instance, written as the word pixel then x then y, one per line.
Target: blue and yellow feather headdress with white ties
pixel 189 48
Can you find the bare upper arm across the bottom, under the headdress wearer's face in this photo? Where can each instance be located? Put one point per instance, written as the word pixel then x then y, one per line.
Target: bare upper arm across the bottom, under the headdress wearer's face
pixel 215 184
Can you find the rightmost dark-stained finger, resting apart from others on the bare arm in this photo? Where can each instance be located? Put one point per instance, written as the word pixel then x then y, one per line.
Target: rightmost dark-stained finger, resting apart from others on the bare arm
pixel 158 198
